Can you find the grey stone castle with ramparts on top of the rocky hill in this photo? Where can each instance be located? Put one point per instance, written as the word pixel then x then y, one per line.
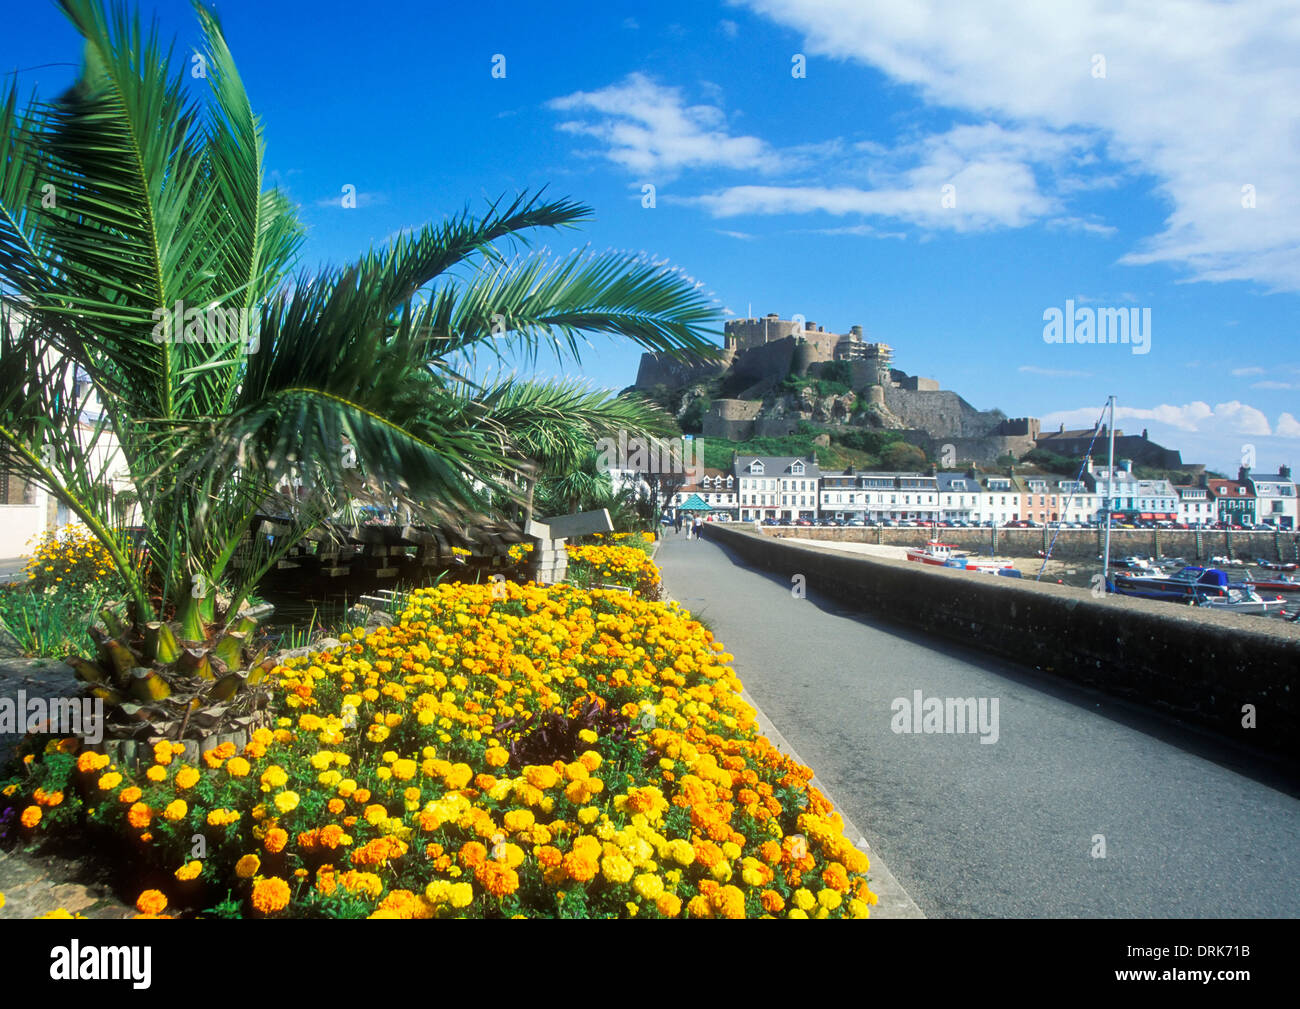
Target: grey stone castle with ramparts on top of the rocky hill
pixel 760 354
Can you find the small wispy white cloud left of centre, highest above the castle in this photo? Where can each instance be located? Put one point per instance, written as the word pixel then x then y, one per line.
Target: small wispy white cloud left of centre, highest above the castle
pixel 648 128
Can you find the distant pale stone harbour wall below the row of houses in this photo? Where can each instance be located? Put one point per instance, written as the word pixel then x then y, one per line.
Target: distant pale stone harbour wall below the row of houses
pixel 1073 544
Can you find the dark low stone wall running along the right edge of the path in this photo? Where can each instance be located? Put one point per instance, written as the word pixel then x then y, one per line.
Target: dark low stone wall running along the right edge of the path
pixel 1197 665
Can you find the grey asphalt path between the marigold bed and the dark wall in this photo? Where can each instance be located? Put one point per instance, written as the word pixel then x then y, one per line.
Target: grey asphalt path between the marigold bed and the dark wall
pixel 1193 828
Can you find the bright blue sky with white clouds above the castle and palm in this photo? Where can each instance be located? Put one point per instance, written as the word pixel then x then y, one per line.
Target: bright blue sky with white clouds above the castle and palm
pixel 1113 183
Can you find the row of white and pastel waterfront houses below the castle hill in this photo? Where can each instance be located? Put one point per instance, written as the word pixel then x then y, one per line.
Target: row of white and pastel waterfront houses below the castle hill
pixel 795 488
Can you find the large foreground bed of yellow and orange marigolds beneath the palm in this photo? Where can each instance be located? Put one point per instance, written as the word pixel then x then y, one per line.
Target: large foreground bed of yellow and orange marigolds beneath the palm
pixel 553 753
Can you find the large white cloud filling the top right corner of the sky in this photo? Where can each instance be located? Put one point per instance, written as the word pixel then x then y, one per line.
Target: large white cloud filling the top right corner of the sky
pixel 1198 94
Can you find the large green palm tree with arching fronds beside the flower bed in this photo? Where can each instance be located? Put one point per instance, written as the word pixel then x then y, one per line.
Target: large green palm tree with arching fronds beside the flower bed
pixel 140 249
